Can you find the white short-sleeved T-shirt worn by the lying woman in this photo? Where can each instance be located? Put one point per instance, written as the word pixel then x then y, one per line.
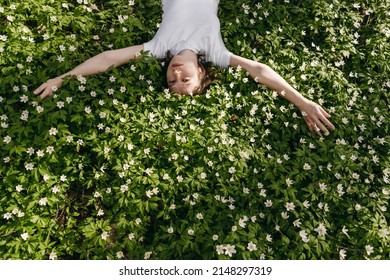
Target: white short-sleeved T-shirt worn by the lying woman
pixel 193 25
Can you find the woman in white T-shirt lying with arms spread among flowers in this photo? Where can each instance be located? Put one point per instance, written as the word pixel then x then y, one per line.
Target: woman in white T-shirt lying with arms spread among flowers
pixel 188 28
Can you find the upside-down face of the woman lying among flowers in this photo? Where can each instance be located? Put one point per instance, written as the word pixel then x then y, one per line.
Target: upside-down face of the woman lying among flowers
pixel 183 75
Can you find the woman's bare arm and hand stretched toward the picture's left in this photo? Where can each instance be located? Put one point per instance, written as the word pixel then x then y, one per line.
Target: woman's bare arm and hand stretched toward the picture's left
pixel 95 65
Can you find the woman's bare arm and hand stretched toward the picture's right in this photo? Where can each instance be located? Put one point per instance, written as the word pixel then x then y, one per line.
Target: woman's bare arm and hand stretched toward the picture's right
pixel 314 115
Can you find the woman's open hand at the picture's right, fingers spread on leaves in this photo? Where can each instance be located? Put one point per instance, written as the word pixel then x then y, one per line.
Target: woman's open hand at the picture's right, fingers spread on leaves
pixel 316 117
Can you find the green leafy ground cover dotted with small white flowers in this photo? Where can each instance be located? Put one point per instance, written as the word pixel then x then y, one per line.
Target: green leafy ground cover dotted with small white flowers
pixel 116 167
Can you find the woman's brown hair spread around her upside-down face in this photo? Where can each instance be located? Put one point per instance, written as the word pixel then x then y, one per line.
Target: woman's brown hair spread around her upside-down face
pixel 209 73
